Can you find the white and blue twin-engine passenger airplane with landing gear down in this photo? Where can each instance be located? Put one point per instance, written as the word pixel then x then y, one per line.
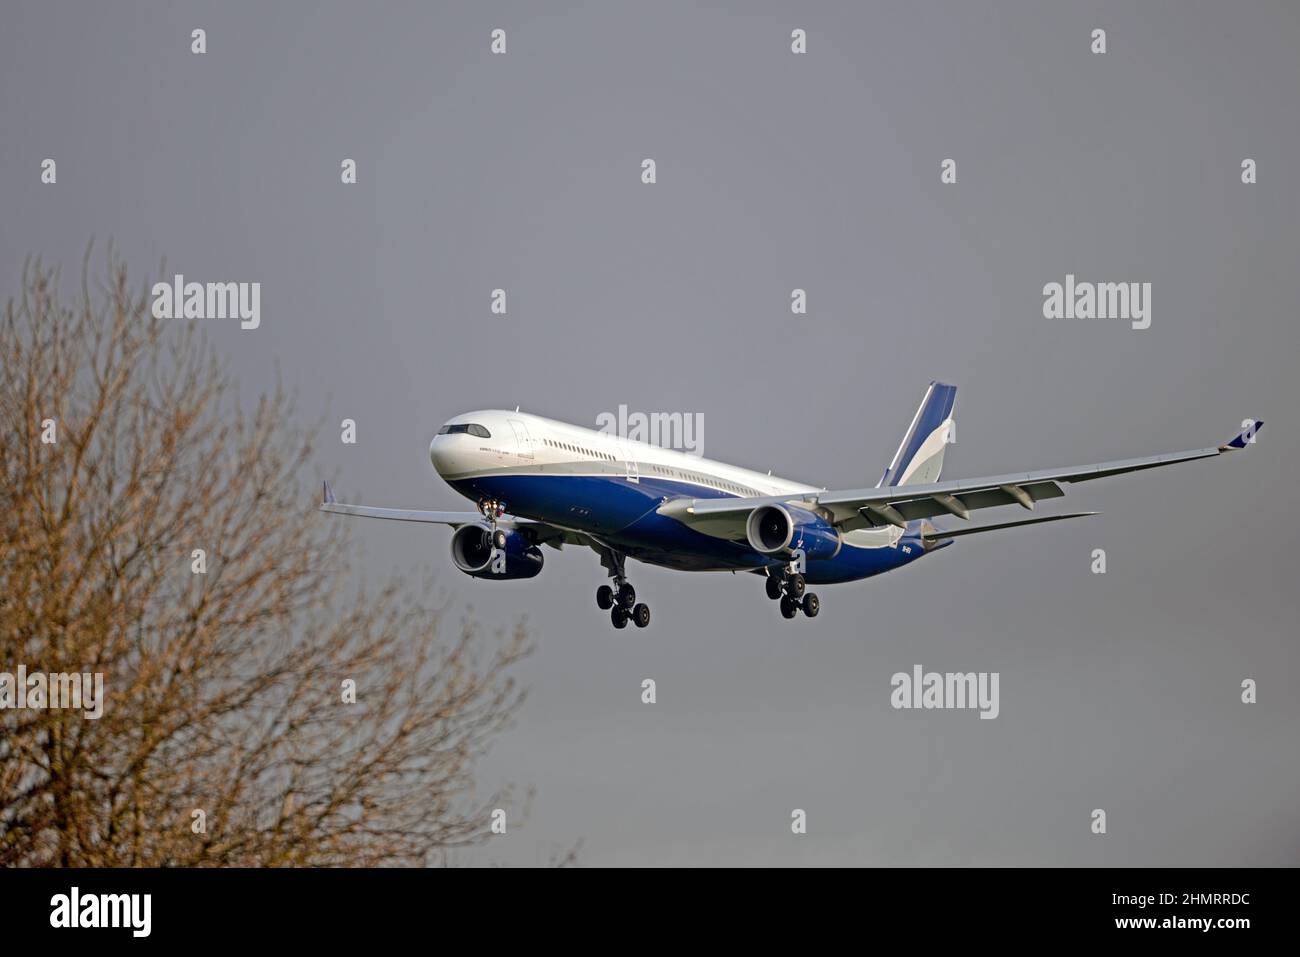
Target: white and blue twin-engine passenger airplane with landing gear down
pixel 538 482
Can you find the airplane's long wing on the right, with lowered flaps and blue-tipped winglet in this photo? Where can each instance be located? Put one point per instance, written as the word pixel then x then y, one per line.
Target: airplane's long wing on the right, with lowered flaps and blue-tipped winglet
pixel 902 504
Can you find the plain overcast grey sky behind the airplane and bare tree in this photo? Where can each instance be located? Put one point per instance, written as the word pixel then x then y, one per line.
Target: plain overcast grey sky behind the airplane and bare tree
pixel 1119 691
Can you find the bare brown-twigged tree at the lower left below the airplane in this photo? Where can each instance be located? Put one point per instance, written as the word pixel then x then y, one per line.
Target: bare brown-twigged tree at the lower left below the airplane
pixel 227 735
